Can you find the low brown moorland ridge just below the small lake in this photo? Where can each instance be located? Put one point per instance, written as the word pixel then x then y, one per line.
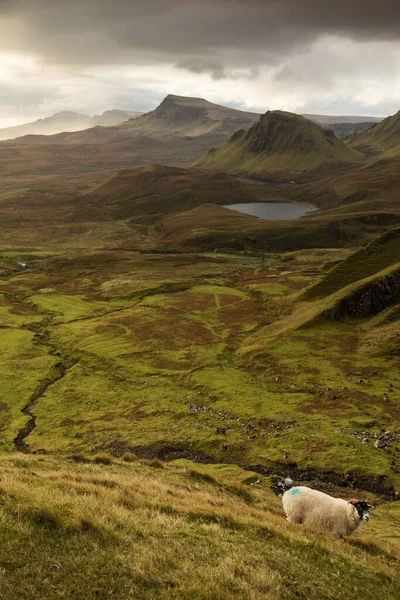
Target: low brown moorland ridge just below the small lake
pixel 209 227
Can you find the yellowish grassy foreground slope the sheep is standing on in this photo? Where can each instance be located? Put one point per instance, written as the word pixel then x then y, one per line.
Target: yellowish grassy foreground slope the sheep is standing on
pixel 133 529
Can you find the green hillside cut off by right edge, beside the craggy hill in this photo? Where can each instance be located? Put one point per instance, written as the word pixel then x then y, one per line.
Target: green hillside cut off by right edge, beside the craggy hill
pixel 382 138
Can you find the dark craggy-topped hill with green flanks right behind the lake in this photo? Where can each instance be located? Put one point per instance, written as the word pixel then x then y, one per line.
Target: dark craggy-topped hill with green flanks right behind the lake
pixel 281 145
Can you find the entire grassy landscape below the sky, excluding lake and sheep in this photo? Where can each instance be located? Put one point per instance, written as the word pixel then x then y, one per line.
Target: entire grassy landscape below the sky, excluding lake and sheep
pixel 165 359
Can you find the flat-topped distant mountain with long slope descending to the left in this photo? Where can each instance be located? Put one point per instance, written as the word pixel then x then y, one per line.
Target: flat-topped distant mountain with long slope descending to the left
pixel 178 132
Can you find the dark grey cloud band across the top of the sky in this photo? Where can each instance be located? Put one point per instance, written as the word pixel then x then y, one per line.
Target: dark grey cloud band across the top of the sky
pixel 206 35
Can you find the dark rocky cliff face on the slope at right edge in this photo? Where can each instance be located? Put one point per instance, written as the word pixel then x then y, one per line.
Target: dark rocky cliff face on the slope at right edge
pixel 369 300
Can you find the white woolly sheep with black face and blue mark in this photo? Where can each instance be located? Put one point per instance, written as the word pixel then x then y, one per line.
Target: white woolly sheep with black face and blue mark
pixel 316 509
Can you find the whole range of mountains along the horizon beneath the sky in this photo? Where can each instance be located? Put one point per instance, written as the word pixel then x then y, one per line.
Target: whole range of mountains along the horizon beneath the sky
pixel 183 131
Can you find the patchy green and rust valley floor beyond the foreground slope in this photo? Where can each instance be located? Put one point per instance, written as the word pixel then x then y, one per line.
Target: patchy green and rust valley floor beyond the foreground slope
pixel 199 355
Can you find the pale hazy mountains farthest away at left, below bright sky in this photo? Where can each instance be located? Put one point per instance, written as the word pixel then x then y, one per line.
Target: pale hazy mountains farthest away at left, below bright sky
pixel 67 121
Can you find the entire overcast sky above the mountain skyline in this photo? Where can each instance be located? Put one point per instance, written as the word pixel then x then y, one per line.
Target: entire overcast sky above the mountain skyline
pixel 307 56
